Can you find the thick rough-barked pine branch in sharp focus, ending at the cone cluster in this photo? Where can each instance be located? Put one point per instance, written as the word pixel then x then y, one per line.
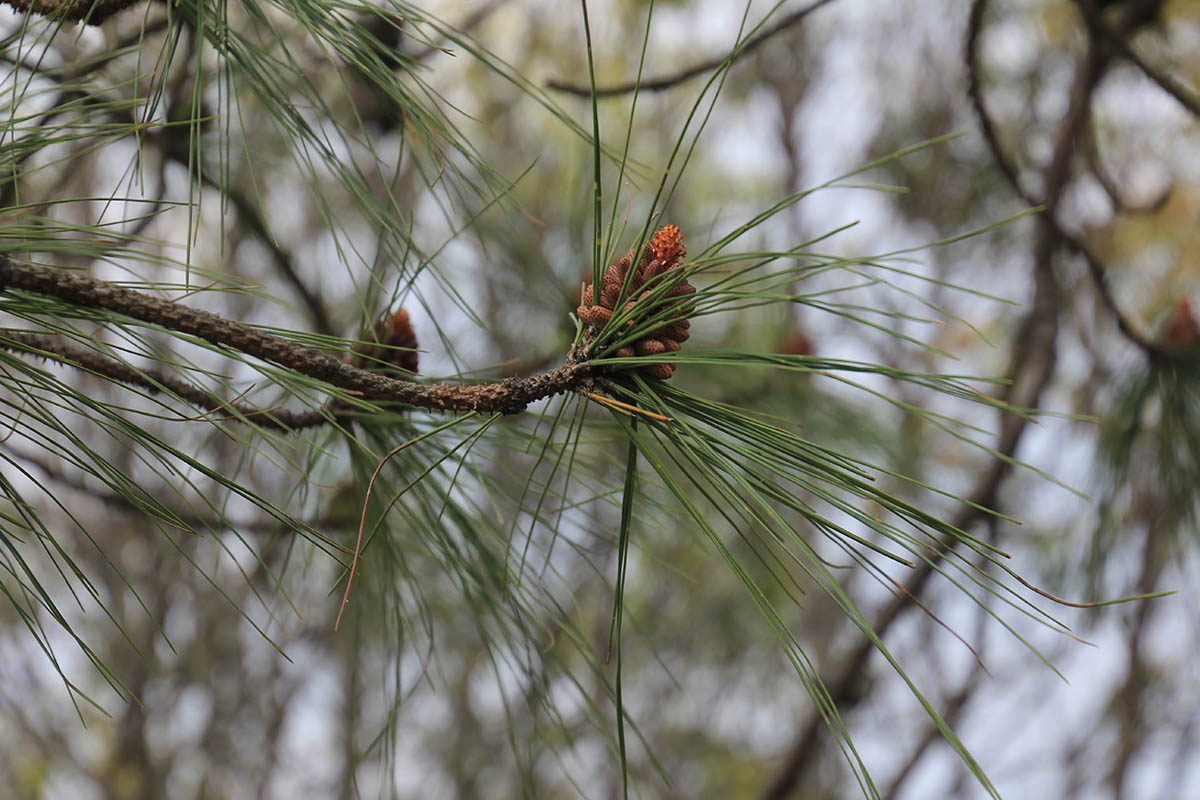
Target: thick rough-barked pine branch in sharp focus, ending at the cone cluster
pixel 509 396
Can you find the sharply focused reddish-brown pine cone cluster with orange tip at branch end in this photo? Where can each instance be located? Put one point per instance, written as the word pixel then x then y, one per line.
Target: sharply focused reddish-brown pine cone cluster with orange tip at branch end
pixel 663 255
